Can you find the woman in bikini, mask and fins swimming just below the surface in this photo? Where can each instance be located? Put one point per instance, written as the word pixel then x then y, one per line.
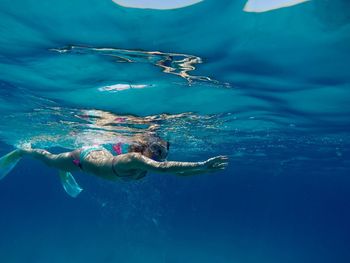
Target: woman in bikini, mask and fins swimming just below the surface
pixel 147 154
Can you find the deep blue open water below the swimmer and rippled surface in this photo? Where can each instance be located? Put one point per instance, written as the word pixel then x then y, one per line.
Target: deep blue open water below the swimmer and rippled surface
pixel 249 213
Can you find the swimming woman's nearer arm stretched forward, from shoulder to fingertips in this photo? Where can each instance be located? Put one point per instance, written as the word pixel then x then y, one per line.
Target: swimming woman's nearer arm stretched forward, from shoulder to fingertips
pixel 138 161
